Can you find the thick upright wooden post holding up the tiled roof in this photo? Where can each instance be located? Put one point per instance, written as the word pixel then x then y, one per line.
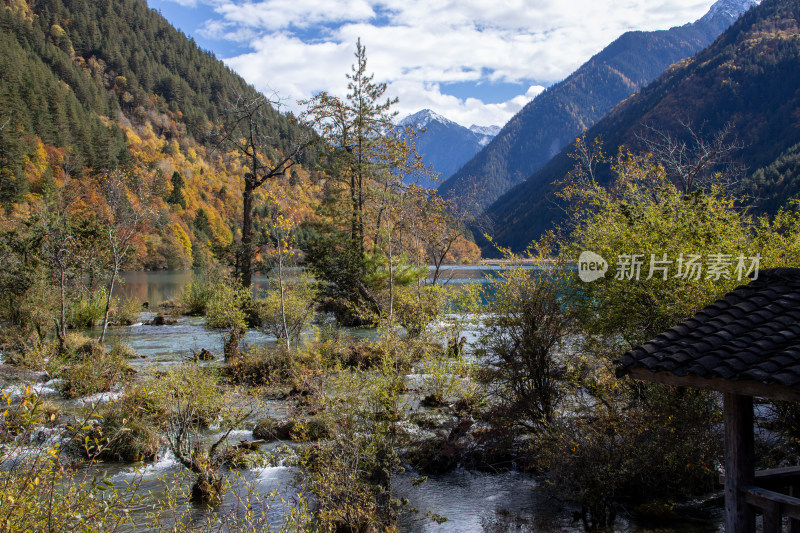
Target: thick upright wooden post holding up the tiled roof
pixel 737 413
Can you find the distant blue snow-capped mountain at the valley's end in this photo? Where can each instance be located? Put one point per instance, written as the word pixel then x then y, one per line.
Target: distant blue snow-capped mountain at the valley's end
pixel 445 145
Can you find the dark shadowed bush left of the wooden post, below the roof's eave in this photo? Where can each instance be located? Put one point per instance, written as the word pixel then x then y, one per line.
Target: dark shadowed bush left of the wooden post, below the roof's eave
pixel 665 448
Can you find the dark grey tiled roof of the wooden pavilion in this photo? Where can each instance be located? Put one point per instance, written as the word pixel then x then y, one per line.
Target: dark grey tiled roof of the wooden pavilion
pixel 752 334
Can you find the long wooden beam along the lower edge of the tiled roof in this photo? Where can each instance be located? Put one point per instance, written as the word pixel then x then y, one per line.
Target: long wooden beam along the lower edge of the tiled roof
pixel 744 388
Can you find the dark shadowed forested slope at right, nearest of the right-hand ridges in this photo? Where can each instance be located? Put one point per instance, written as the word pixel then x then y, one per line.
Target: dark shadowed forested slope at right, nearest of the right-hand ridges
pixel 746 81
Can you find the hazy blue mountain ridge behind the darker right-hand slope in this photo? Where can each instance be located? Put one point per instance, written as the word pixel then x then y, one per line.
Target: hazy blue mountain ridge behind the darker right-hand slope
pixel 558 115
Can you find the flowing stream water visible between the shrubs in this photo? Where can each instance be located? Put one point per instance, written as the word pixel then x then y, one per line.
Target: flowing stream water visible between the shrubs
pixel 472 502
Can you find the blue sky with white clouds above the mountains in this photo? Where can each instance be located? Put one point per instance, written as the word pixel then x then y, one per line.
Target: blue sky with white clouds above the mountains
pixel 472 61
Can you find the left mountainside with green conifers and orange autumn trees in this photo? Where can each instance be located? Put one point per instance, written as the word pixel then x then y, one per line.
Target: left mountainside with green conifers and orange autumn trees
pixel 87 86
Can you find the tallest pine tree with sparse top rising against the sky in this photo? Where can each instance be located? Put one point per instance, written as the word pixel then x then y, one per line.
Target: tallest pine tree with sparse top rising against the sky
pixel 366 158
